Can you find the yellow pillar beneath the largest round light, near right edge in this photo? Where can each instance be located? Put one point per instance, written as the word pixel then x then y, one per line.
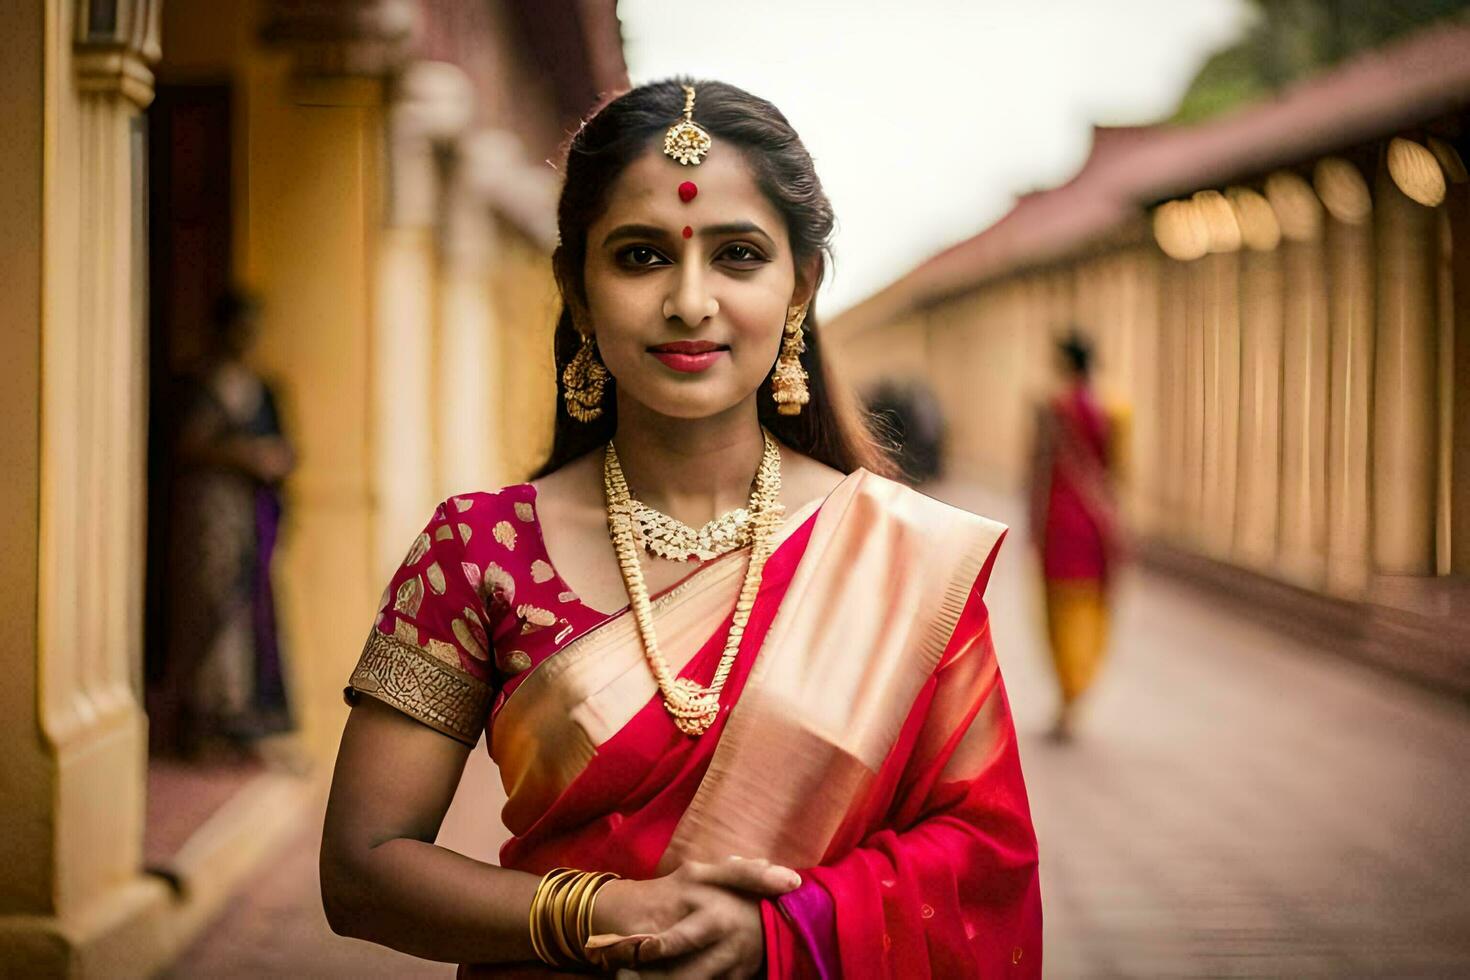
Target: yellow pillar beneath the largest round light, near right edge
pixel 1405 400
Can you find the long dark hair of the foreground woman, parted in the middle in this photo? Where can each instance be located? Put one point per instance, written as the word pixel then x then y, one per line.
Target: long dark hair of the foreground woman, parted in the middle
pixel 831 428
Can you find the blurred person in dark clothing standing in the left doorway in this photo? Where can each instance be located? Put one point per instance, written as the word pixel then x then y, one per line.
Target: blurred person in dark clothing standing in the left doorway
pixel 226 660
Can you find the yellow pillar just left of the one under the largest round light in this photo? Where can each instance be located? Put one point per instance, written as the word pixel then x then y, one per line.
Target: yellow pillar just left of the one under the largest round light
pixel 1350 317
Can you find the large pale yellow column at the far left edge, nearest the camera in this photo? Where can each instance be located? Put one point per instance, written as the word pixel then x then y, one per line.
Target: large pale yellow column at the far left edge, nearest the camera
pixel 74 900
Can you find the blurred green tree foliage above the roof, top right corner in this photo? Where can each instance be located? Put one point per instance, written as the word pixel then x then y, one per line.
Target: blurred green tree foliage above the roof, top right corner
pixel 1296 39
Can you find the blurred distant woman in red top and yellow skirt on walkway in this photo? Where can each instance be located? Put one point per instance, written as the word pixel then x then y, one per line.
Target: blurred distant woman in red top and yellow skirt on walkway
pixel 1075 524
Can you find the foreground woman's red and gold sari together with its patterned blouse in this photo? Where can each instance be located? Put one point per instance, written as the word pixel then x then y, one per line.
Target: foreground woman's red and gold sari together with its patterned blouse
pixel 865 737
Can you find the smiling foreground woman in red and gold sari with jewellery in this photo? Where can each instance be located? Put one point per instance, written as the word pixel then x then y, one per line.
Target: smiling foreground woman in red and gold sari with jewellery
pixel 709 628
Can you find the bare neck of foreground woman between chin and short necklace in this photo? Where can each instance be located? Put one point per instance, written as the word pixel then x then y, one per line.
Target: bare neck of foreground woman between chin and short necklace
pixel 692 469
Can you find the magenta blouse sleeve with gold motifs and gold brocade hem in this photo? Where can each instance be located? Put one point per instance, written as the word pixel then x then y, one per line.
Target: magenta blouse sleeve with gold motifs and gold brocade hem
pixel 429 653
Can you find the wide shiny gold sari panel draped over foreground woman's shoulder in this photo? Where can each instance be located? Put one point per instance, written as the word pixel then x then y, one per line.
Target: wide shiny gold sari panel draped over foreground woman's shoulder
pixel 790 768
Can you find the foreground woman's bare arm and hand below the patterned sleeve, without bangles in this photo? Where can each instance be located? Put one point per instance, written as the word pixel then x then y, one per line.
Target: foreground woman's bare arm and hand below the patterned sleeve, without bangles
pixel 387 882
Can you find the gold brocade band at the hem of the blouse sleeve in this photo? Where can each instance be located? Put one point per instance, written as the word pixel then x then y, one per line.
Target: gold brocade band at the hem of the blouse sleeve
pixel 449 702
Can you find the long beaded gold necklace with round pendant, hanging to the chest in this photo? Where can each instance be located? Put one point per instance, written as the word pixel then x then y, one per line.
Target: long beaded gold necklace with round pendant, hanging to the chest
pixel 693 706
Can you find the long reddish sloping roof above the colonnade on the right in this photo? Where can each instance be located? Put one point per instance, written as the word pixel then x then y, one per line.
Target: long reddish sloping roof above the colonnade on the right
pixel 1399 86
